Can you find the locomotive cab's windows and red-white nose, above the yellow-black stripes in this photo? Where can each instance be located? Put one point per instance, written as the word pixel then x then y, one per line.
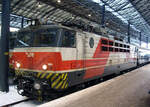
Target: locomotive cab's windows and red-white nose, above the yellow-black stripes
pixel 36 49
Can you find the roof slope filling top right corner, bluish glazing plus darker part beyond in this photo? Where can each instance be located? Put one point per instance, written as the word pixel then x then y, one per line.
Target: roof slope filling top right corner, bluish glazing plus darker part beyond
pixel 134 11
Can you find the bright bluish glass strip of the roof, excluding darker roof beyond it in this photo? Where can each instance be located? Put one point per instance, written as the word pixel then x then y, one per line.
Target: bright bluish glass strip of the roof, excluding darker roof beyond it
pixel 124 10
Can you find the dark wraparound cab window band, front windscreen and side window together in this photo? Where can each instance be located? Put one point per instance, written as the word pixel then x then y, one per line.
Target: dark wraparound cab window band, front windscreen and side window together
pixel 50 37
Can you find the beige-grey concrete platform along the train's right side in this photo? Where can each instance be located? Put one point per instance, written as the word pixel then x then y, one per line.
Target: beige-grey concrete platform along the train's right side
pixel 128 90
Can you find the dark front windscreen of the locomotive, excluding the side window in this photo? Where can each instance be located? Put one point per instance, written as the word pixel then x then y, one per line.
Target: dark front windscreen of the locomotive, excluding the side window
pixel 38 38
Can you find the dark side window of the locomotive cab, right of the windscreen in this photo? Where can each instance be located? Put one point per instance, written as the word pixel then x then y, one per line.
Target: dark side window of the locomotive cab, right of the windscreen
pixel 69 39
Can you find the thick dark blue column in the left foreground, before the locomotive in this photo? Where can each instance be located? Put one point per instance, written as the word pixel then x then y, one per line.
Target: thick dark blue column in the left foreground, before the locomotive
pixel 4 46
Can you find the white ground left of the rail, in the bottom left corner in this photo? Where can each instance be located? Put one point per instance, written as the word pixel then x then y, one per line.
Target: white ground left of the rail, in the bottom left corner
pixel 11 97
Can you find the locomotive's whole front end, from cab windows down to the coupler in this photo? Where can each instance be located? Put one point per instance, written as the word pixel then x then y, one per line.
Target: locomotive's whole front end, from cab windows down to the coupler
pixel 38 58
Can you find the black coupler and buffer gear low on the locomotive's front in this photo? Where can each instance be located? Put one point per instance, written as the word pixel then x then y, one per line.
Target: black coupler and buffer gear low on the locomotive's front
pixel 32 87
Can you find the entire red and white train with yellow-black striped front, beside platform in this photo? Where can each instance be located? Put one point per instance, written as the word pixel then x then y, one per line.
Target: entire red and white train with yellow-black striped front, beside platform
pixel 49 58
